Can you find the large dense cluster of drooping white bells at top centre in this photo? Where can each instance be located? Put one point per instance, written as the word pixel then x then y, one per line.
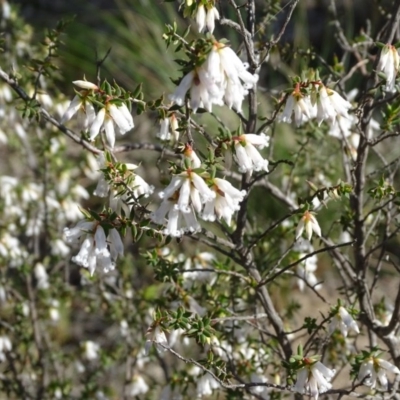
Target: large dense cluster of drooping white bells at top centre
pixel 223 77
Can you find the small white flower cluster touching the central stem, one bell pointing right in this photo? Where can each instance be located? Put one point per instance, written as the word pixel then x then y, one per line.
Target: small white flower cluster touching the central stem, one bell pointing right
pixel 246 154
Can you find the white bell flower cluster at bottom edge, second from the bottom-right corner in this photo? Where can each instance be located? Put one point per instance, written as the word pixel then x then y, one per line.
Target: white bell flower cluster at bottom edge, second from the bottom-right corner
pixel 313 379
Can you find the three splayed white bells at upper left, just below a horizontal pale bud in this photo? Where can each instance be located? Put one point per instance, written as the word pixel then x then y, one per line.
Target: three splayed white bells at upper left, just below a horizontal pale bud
pixel 109 117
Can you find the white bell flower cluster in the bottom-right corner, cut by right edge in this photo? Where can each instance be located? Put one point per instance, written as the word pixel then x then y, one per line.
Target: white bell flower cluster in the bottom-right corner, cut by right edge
pixel 374 370
